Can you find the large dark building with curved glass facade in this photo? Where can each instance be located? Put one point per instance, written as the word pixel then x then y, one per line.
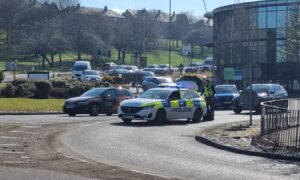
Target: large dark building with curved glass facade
pixel 264 33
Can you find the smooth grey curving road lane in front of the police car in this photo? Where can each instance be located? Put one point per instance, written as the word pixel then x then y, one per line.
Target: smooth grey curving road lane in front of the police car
pixel 171 151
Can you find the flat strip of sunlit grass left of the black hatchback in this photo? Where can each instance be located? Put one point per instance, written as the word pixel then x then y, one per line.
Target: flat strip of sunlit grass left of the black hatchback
pixel 30 105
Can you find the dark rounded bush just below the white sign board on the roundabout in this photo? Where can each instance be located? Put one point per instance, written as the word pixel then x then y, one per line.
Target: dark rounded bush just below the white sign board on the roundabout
pixel 43 88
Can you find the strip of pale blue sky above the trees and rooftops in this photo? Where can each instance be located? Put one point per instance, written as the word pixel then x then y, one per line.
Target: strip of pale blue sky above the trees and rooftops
pixel 194 6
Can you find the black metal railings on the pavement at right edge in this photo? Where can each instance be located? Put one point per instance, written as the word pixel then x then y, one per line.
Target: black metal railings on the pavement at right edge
pixel 280 124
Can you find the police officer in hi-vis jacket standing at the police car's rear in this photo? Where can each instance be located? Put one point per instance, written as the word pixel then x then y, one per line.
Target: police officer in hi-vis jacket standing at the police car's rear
pixel 209 94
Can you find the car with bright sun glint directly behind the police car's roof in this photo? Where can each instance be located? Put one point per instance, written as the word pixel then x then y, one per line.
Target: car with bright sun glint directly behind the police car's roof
pixel 154 82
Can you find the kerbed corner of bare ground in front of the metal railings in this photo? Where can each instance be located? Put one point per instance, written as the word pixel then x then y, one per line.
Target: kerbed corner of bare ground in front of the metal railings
pixel 239 138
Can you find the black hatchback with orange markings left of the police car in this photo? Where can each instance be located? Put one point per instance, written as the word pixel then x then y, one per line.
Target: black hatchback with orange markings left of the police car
pixel 97 101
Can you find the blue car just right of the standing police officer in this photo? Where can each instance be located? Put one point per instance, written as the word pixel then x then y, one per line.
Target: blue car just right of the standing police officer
pixel 225 95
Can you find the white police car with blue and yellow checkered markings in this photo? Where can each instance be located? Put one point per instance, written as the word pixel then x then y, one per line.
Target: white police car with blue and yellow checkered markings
pixel 161 104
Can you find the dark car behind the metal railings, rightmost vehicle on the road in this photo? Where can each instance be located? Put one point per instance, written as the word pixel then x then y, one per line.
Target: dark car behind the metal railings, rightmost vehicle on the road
pixel 261 93
